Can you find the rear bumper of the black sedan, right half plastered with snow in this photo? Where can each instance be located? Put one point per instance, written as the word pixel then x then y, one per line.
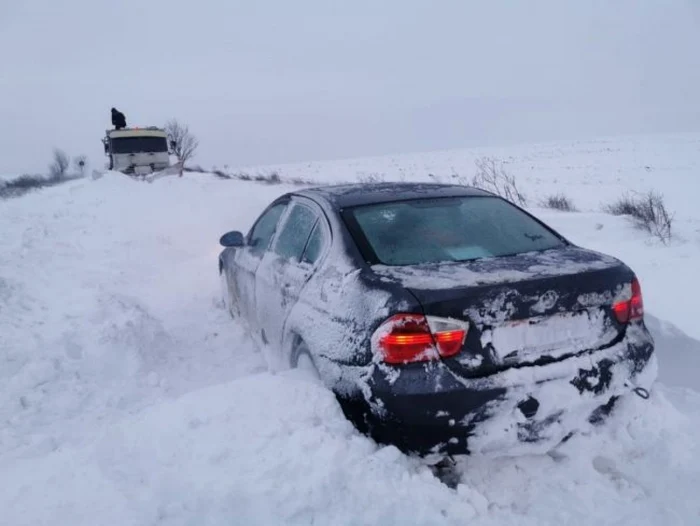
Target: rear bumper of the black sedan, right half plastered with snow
pixel 429 409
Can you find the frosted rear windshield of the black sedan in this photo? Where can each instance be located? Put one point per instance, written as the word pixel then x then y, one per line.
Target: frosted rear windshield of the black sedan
pixel 447 229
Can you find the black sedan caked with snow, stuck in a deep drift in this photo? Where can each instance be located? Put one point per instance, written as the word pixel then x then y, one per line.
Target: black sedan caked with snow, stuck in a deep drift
pixel 444 318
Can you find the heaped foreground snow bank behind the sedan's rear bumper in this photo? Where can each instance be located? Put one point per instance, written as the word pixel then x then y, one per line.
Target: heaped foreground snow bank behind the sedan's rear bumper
pixel 275 449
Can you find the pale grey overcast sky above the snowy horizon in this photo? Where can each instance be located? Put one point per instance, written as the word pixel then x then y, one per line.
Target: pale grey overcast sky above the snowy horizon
pixel 273 81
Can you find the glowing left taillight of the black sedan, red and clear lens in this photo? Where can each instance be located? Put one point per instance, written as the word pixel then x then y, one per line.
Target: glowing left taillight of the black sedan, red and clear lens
pixel 406 338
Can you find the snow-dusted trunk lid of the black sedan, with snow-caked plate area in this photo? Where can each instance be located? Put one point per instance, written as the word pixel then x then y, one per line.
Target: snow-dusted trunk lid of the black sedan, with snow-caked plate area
pixel 524 309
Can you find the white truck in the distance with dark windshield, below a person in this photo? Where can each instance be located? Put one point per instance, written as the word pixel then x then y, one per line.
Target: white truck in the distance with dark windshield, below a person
pixel 138 151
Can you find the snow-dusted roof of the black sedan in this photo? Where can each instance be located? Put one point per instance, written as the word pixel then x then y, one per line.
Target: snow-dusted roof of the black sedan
pixel 357 194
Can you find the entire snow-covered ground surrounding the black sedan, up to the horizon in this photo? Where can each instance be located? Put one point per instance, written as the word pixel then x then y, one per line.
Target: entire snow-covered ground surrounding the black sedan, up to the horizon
pixel 127 395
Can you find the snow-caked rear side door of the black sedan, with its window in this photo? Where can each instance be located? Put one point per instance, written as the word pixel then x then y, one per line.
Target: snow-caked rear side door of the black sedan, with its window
pixel 283 271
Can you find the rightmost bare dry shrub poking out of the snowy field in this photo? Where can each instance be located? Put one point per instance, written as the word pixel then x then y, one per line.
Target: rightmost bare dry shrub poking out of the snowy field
pixel 648 211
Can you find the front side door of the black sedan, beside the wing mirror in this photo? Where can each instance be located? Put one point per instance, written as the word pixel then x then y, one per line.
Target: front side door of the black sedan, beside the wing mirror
pixel 248 258
